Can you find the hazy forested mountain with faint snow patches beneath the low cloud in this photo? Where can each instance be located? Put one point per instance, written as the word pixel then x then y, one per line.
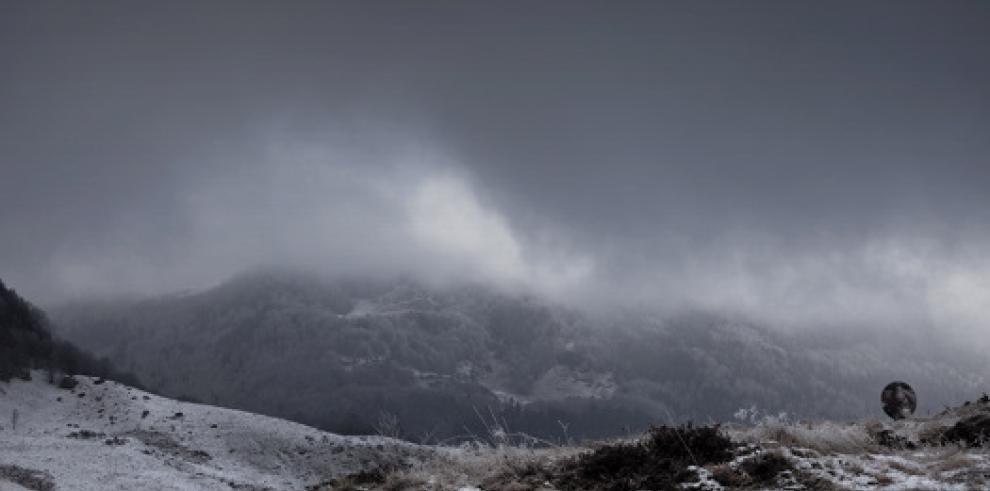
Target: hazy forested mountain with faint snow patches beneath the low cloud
pixel 338 354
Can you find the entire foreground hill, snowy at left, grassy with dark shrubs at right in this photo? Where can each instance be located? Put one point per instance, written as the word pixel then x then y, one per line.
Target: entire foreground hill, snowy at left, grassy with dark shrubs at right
pixel 105 436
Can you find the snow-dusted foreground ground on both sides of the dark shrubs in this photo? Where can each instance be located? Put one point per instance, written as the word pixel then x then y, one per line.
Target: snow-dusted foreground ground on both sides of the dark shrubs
pixel 106 436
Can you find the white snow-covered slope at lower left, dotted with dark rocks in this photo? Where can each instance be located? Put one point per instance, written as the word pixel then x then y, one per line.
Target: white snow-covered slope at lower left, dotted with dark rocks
pixel 106 436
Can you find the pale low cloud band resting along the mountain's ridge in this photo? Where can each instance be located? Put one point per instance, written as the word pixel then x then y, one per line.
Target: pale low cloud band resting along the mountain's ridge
pixel 413 209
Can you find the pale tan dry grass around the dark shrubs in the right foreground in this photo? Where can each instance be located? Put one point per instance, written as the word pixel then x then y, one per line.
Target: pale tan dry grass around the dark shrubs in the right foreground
pixel 511 467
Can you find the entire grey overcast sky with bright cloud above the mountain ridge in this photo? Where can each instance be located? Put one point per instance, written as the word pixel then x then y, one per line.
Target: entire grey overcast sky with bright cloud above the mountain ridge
pixel 803 161
